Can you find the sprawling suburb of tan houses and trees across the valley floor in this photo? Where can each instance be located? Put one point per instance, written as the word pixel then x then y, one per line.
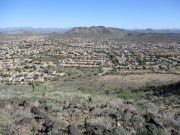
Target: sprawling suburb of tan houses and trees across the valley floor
pixel 24 61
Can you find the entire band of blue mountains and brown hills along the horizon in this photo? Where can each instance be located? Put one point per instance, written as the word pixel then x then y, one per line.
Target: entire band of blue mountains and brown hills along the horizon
pixel 97 32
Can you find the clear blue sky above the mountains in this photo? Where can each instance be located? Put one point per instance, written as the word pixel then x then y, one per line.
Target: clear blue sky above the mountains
pixel 128 14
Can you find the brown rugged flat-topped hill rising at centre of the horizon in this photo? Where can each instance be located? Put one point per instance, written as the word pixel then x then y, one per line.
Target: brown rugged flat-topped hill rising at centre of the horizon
pixel 96 32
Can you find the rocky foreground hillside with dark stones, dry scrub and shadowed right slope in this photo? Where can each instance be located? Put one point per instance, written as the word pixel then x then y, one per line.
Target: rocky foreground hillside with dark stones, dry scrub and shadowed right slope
pixel 63 113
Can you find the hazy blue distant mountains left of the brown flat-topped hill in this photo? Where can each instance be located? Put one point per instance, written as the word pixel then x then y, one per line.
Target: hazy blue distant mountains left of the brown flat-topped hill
pixel 20 30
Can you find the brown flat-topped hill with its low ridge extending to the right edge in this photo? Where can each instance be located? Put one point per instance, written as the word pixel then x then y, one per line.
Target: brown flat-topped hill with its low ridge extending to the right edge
pixel 101 32
